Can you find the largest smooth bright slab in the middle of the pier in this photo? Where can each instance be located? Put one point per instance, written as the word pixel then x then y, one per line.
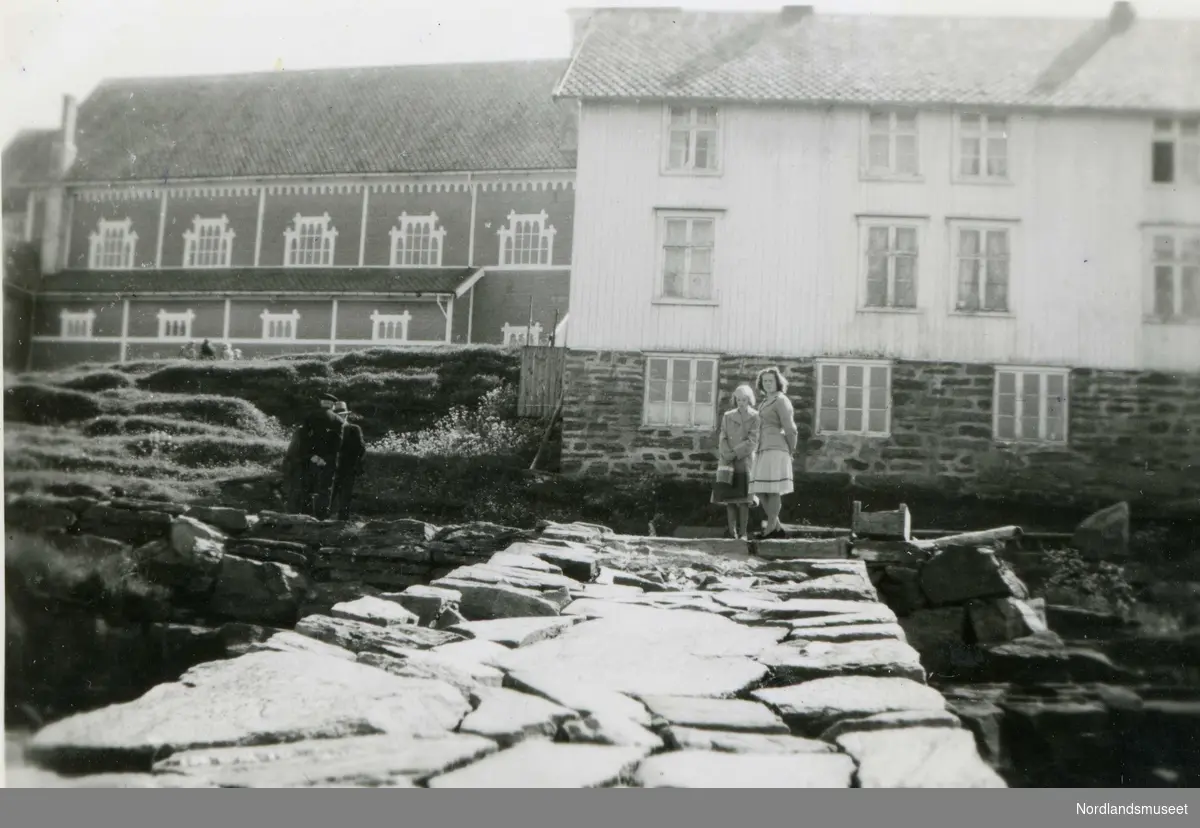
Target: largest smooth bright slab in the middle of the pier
pixel 649 651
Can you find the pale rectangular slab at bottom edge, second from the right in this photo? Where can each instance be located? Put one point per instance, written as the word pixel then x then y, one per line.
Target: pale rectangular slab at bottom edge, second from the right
pixel 710 770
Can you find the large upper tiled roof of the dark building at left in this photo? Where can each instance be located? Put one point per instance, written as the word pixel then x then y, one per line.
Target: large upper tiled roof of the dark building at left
pixel 404 119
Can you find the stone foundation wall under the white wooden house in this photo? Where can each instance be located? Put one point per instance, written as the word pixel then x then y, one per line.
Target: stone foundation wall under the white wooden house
pixel 1131 436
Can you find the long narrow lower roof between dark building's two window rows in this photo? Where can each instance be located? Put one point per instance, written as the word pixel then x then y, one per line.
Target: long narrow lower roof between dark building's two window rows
pixel 259 280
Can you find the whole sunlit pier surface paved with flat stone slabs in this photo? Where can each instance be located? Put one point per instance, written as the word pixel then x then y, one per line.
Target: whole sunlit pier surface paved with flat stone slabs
pixel 569 657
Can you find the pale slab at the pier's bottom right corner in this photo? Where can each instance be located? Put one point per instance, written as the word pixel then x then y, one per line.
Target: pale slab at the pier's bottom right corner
pixel 919 758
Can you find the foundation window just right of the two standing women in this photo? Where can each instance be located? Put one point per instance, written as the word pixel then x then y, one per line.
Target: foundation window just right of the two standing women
pixel 855 398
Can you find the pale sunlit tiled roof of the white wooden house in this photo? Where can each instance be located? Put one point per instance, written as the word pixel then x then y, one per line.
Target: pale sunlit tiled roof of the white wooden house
pixel 818 58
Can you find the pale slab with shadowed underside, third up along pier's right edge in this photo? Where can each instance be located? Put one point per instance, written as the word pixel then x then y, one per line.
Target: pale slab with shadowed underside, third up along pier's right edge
pixel 813 707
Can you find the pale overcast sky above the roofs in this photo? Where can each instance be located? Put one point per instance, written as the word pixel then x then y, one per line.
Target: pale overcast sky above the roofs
pixel 56 47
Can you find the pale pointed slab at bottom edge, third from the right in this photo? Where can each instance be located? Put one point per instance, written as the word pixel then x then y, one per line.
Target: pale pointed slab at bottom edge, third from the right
pixel 541 764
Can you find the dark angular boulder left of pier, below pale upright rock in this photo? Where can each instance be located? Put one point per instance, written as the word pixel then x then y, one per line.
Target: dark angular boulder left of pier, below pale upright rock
pixel 257 591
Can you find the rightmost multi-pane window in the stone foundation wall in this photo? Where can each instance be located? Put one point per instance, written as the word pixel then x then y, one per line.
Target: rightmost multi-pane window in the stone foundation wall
pixel 1031 405
